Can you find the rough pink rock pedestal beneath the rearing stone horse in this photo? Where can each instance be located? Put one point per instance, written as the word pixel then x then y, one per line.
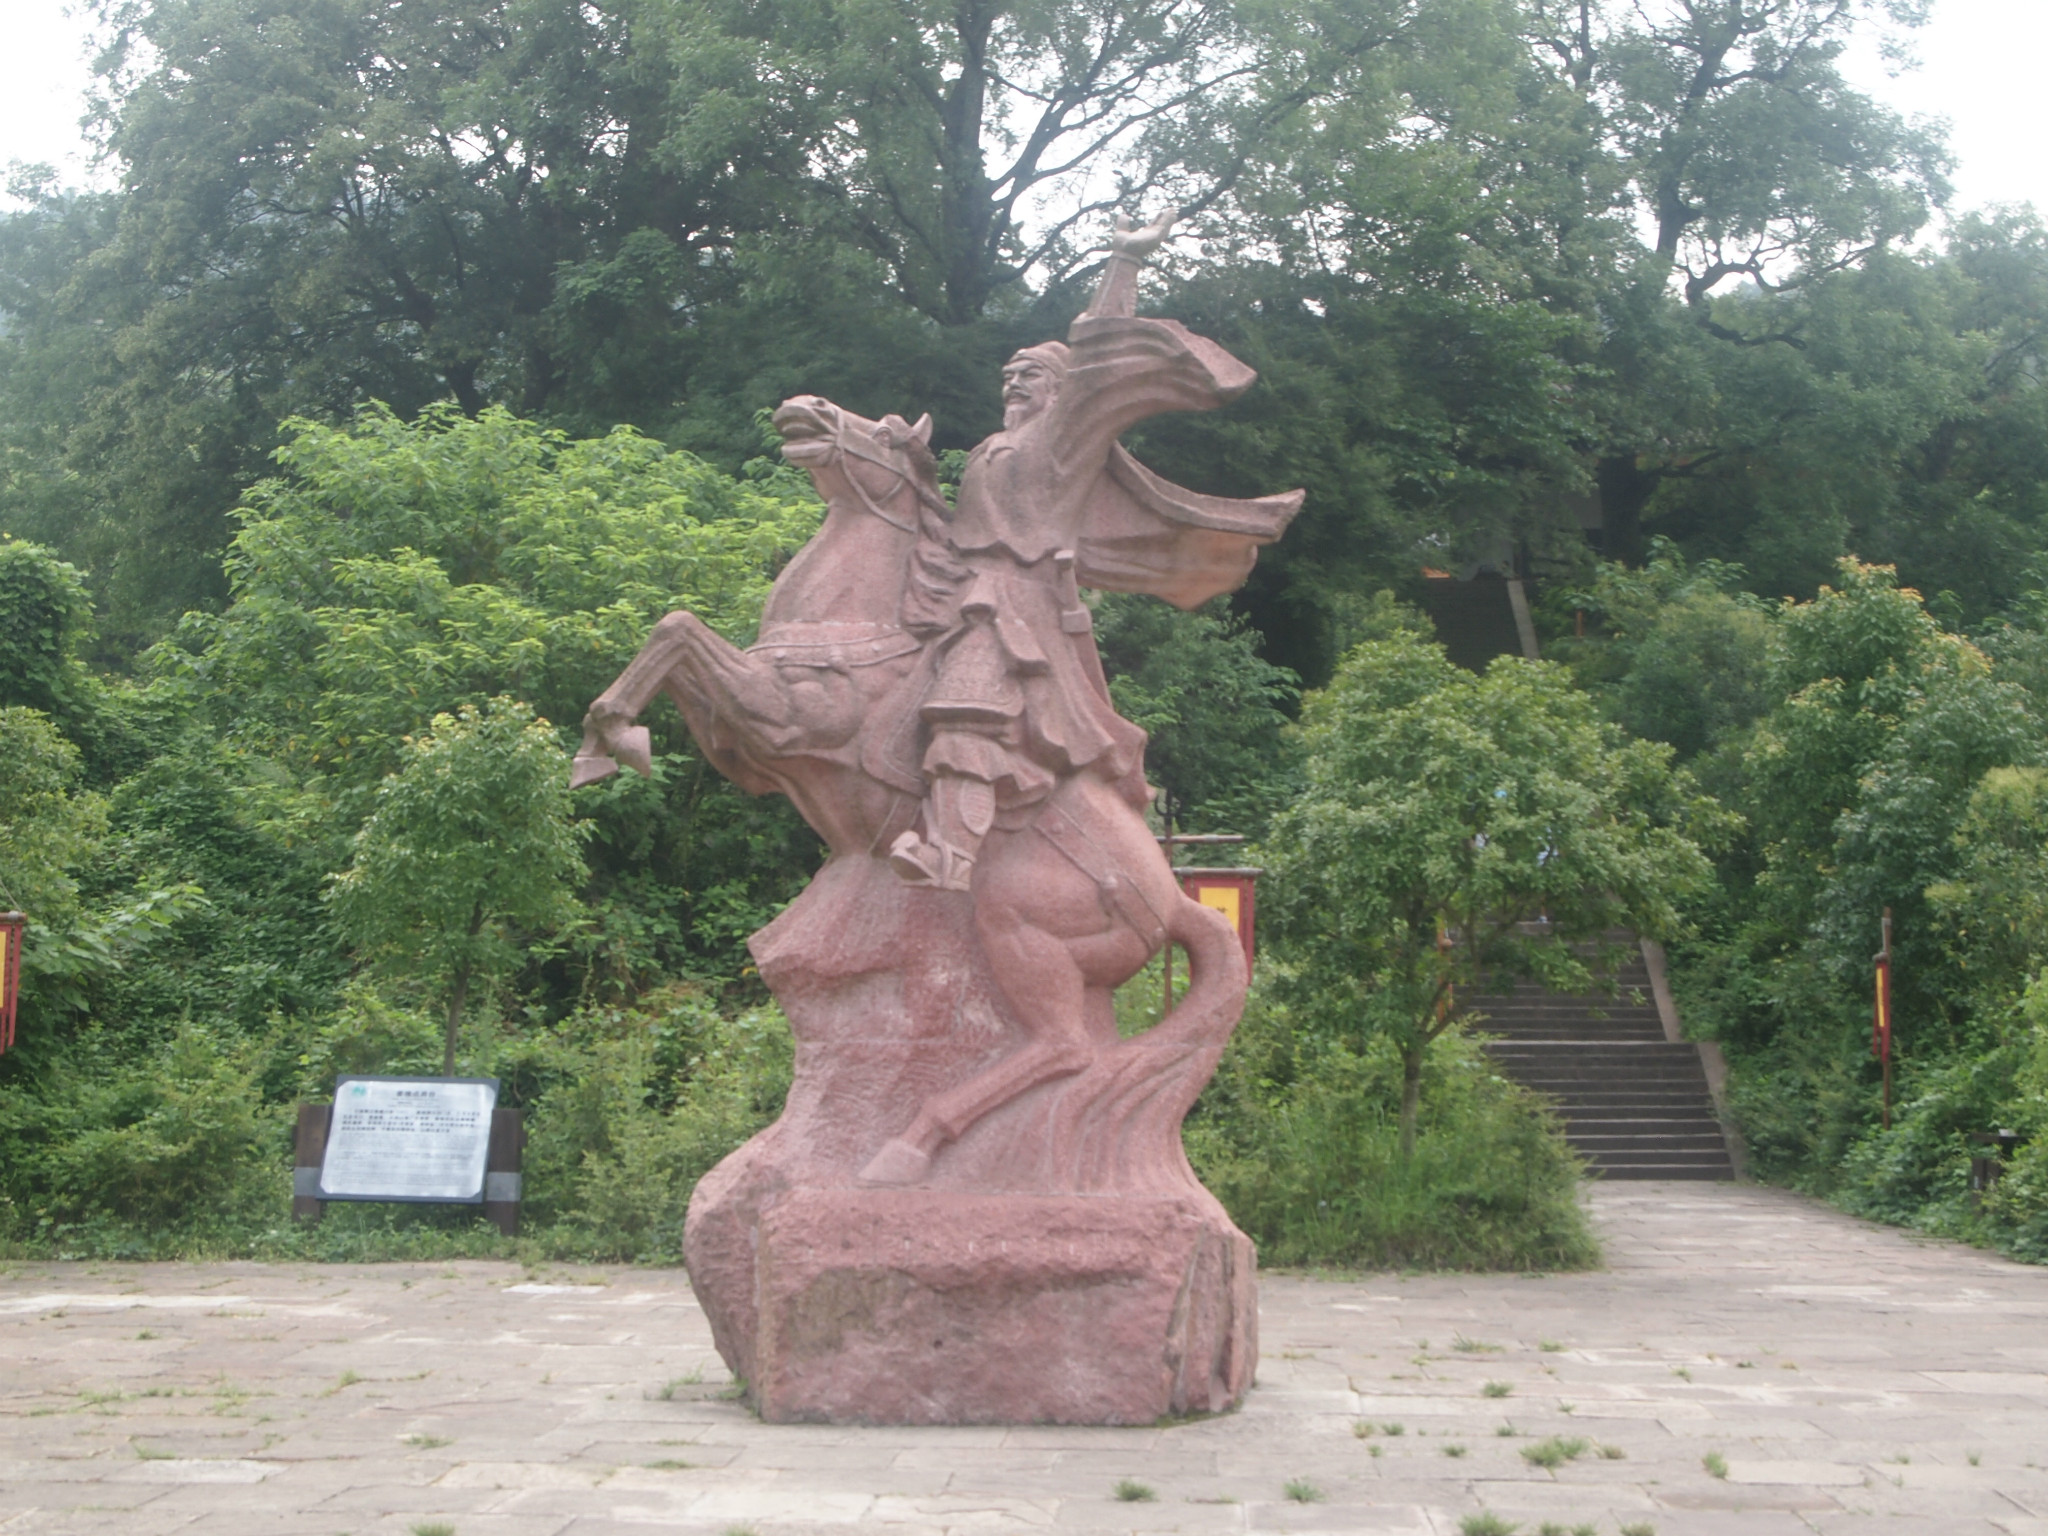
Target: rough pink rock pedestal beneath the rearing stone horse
pixel 1062 1265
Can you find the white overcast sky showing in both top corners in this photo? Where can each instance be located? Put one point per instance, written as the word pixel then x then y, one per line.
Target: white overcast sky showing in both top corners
pixel 1979 67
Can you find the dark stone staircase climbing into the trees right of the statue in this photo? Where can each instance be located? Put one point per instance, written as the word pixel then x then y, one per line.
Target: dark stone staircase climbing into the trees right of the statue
pixel 1635 1103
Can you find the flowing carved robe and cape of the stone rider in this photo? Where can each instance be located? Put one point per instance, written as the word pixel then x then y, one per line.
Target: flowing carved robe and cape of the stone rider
pixel 1046 507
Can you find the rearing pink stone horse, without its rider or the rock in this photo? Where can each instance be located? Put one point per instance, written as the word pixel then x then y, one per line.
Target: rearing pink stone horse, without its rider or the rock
pixel 1066 906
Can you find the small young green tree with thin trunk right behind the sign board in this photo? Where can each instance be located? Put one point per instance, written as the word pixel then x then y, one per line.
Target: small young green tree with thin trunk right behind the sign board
pixel 470 847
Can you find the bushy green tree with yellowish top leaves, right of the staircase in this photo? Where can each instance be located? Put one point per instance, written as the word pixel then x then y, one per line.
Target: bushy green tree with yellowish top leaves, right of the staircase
pixel 1857 783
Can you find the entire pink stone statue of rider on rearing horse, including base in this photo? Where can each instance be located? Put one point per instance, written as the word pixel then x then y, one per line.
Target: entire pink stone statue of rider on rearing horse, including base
pixel 976 1205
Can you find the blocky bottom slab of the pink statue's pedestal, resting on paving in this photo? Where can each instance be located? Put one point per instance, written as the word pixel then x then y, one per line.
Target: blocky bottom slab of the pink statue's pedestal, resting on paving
pixel 951 1308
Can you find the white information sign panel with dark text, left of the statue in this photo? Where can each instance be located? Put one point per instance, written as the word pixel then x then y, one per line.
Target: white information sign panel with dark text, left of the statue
pixel 409 1140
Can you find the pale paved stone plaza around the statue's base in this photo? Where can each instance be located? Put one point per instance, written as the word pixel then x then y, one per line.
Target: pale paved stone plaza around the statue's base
pixel 1840 1377
